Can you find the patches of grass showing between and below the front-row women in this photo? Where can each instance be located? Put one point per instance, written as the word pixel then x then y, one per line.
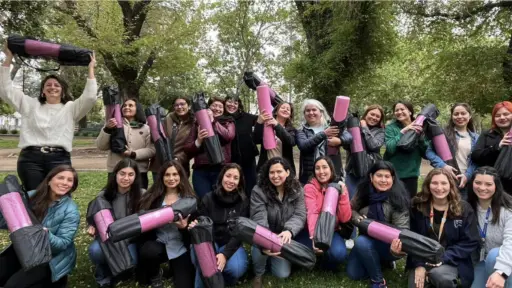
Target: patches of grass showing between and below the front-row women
pixel 83 275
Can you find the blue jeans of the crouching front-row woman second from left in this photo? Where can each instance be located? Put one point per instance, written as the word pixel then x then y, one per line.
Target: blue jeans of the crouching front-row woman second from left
pixel 102 274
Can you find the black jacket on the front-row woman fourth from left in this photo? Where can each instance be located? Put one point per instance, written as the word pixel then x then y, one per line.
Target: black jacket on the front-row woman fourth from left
pixel 220 207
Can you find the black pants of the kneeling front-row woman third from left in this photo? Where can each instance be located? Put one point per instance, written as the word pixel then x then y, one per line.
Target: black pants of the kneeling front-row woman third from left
pixel 153 253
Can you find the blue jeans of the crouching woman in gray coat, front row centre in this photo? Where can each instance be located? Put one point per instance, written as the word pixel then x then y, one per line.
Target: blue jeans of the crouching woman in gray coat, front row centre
pixel 279 267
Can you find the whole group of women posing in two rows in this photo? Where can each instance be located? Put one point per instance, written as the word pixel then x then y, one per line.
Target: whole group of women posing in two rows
pixel 476 234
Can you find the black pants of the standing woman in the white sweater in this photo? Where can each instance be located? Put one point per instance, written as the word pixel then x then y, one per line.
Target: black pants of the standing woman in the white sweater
pixel 33 166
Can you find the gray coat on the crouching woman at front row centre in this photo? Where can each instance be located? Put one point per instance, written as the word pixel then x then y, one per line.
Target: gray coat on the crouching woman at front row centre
pixel 290 214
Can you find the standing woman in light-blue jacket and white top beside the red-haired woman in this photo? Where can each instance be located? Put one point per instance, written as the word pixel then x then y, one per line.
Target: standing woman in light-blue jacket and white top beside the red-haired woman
pixel 462 137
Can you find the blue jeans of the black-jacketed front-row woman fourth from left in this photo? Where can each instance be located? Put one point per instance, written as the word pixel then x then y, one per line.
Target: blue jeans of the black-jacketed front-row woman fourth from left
pixel 235 268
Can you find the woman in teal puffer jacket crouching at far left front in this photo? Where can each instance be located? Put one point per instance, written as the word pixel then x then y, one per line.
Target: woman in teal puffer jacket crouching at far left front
pixel 59 215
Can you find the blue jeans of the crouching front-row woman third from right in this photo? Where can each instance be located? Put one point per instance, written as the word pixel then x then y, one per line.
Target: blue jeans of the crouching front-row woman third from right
pixel 366 257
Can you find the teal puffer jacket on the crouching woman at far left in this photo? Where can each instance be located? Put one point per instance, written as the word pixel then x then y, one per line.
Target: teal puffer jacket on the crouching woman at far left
pixel 62 221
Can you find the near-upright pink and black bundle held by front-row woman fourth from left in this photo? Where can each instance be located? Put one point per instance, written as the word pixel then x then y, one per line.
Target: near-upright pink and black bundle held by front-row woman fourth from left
pixel 202 242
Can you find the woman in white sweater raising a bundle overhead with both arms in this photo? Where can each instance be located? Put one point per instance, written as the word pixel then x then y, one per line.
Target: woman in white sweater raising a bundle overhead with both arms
pixel 46 134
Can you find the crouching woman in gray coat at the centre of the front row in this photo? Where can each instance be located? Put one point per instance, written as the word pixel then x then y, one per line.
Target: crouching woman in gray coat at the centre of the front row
pixel 277 203
